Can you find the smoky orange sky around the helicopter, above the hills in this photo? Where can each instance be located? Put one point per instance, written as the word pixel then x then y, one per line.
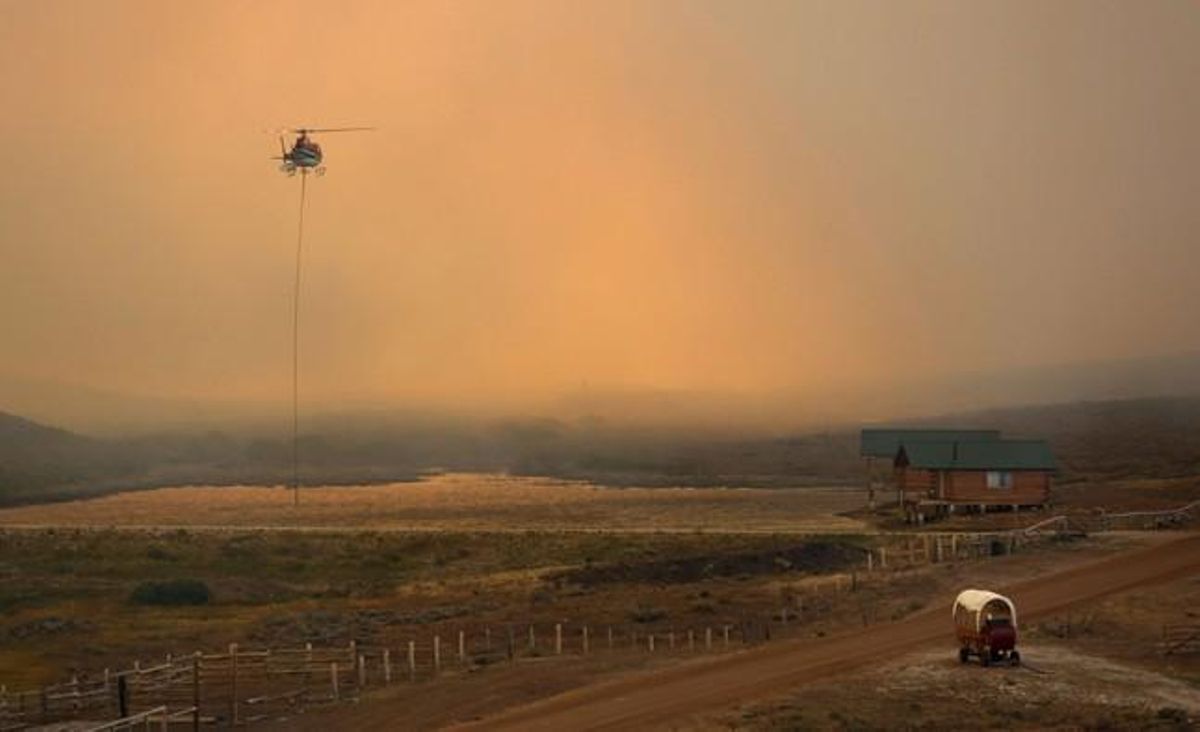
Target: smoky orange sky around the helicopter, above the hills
pixel 741 197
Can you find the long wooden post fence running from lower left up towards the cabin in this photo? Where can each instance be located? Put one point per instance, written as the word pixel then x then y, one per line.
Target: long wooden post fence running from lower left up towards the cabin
pixel 242 686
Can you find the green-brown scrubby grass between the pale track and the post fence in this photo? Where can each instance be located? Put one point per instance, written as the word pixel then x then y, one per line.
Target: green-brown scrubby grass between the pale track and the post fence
pixel 68 605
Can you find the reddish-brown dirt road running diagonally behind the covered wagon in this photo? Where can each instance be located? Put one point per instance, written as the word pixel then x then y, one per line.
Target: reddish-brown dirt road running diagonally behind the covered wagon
pixel 676 698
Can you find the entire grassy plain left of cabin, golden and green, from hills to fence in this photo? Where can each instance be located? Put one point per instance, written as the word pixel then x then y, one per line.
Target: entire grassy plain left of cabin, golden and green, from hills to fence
pixel 476 547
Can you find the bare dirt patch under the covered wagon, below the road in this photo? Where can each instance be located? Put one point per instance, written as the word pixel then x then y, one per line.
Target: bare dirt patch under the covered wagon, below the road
pixel 1058 688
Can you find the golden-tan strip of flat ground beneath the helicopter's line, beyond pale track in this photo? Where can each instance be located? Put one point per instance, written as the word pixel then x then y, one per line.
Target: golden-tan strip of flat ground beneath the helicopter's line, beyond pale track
pixel 463 502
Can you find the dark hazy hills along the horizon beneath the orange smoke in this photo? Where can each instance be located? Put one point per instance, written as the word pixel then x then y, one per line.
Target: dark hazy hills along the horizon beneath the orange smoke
pixel 1103 440
